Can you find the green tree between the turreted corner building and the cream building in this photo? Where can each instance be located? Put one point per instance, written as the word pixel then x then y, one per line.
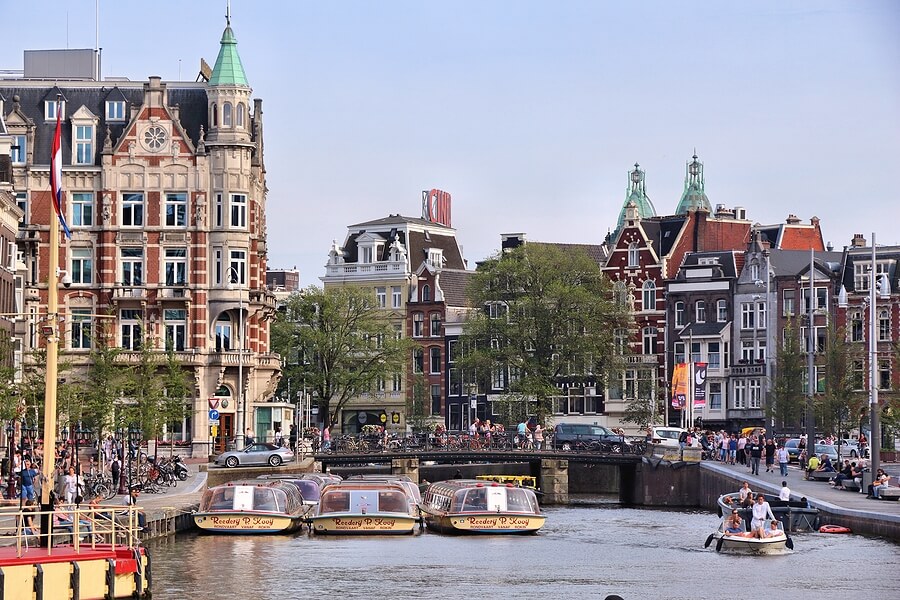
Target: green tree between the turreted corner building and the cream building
pixel 343 342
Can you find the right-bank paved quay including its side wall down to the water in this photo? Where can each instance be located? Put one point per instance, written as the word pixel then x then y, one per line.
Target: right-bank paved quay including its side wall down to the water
pixel 838 507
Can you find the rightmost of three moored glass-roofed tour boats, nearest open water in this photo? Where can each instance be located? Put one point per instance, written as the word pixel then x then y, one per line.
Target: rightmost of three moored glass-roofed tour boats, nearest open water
pixel 473 506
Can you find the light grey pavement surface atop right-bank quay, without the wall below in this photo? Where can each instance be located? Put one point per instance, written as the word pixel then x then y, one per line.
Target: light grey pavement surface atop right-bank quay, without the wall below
pixel 819 493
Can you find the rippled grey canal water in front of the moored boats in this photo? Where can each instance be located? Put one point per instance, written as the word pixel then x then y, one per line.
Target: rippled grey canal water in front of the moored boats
pixel 582 552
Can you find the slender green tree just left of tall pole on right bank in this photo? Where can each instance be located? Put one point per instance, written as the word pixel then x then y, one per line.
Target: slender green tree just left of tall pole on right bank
pixel 788 401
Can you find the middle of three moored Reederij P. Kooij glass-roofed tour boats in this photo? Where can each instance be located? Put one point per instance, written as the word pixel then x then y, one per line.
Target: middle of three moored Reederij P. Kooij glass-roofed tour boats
pixel 364 508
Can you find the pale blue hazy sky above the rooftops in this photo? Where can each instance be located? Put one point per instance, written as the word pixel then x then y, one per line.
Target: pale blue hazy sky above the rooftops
pixel 531 114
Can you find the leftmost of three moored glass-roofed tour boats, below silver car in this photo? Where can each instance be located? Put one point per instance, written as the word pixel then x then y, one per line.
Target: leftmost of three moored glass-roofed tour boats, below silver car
pixel 252 506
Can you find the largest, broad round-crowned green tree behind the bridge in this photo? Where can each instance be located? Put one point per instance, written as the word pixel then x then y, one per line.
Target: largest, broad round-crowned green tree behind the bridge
pixel 548 316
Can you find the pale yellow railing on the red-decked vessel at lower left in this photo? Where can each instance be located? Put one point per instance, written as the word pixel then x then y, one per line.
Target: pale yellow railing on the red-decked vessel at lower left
pixel 78 527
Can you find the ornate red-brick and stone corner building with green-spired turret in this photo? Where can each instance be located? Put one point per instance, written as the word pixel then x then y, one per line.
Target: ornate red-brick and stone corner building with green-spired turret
pixel 165 196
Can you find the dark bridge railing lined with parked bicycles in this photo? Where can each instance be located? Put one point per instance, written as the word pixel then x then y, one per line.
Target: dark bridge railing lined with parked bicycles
pixel 460 441
